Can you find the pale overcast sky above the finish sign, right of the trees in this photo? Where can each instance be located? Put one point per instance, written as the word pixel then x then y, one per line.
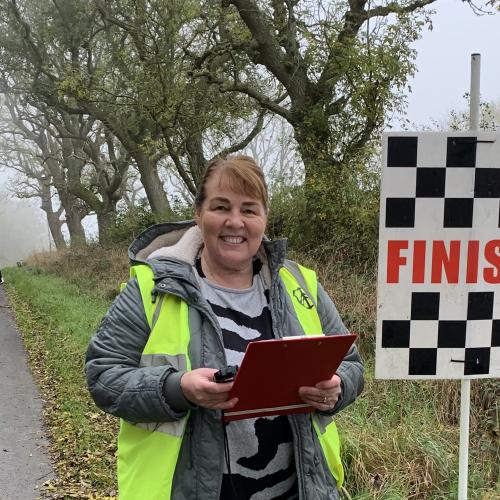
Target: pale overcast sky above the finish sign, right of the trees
pixel 443 61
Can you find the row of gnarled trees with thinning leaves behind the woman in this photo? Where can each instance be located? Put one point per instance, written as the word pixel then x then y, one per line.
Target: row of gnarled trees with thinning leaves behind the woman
pixel 110 100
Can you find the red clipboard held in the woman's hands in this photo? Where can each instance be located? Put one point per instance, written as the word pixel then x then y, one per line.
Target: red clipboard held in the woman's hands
pixel 272 371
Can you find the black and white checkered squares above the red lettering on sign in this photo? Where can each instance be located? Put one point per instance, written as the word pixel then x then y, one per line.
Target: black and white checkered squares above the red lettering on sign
pixel 458 182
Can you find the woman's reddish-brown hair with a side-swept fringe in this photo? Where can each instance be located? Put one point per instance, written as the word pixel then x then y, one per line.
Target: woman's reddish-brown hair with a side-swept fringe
pixel 238 173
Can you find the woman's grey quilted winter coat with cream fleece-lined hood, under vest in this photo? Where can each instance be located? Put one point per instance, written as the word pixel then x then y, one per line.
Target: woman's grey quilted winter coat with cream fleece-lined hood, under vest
pixel 153 394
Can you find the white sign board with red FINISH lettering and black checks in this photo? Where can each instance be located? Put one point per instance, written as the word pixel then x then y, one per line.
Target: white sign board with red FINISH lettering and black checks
pixel 439 257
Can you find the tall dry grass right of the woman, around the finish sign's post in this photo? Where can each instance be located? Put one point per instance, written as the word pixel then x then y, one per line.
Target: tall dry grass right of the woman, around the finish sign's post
pixel 402 436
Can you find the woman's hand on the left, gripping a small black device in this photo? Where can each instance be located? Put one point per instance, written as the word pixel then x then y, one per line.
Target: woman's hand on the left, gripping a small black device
pixel 199 387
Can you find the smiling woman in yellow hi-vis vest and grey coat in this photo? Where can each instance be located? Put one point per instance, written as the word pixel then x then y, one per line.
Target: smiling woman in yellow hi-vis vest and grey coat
pixel 200 292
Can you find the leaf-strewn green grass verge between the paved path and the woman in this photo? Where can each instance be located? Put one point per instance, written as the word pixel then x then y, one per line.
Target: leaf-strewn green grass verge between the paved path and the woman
pixel 56 320
